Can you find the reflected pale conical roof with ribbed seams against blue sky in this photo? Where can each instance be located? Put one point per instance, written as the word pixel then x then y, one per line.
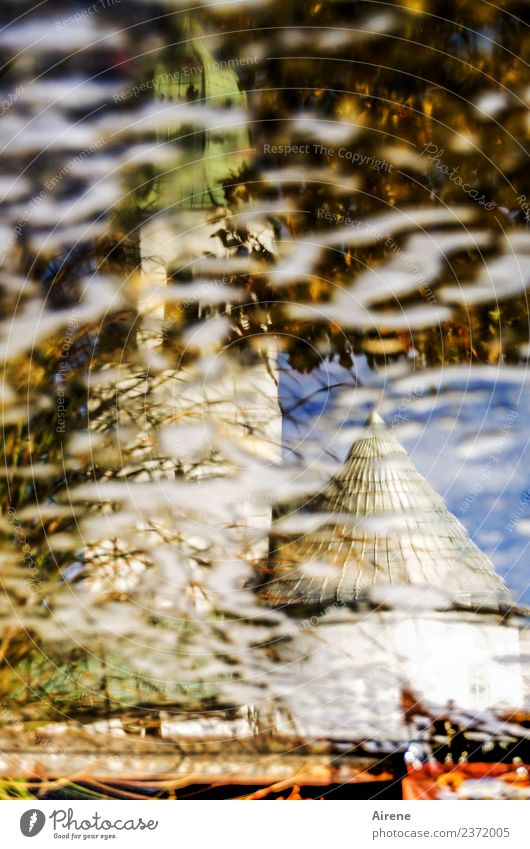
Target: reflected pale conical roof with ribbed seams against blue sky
pixel 380 523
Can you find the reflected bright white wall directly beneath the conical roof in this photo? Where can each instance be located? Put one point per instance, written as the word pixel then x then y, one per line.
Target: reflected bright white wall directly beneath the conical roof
pixel 345 680
